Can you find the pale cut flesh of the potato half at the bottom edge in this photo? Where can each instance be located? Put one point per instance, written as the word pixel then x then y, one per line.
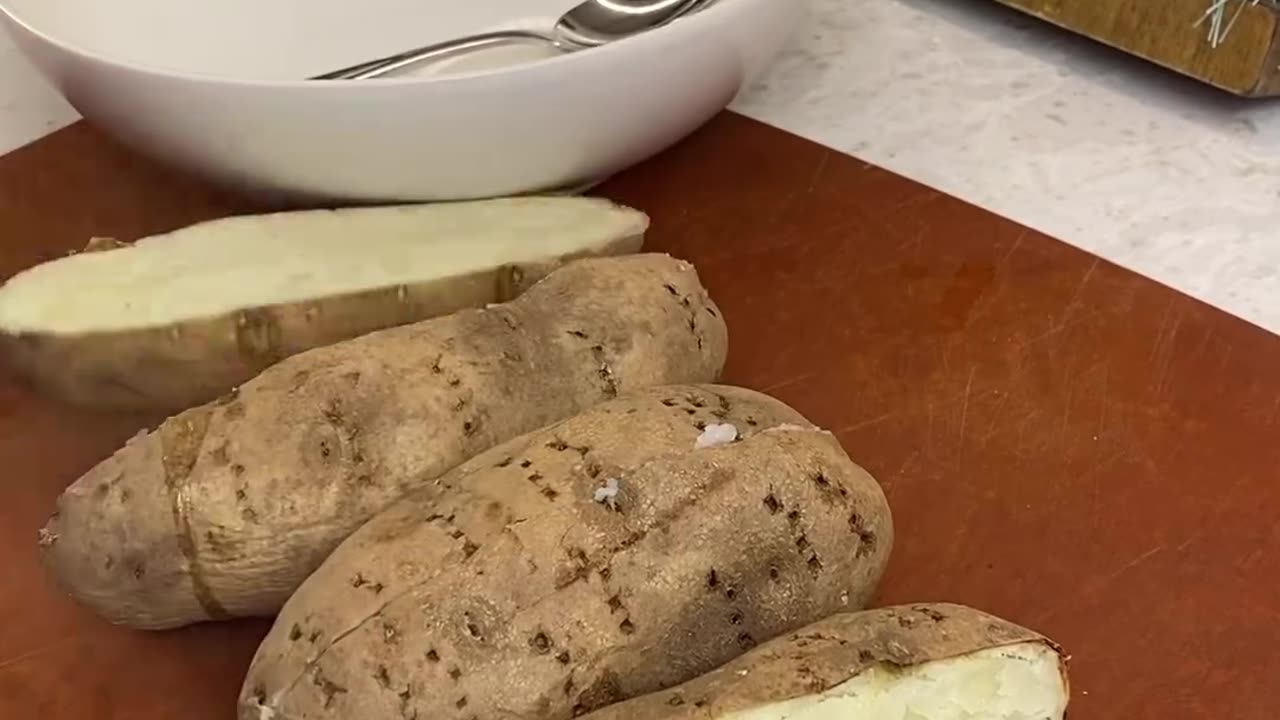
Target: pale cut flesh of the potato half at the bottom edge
pixel 1021 682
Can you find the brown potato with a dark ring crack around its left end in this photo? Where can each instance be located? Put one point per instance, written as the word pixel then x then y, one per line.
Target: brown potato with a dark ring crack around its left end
pixel 227 508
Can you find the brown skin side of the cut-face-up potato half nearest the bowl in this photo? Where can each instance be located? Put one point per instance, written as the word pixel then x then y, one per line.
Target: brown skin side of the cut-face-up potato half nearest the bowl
pixel 177 367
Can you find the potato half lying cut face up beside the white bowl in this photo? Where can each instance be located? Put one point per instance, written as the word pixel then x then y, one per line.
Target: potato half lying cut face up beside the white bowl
pixel 175 321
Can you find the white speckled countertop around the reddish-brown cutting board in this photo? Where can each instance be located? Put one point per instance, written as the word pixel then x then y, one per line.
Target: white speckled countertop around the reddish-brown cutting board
pixel 1135 165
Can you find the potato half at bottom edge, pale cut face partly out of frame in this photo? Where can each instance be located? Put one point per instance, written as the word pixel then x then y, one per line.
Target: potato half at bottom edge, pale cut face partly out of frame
pixel 912 663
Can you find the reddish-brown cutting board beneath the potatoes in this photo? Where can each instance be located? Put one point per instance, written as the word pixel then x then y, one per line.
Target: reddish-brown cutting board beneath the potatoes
pixel 1064 444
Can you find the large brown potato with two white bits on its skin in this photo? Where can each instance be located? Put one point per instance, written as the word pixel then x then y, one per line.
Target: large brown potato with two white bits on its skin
pixel 506 590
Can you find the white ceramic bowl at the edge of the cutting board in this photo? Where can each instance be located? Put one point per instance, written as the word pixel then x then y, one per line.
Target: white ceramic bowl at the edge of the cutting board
pixel 213 86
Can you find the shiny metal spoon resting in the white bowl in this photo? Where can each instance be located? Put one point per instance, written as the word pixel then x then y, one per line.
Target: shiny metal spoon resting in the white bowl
pixel 588 25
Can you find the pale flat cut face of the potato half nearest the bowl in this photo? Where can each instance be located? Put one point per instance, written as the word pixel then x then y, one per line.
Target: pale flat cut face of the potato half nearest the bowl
pixel 220 267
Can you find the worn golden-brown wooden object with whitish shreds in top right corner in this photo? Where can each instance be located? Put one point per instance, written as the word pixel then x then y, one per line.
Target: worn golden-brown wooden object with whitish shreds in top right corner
pixel 1246 62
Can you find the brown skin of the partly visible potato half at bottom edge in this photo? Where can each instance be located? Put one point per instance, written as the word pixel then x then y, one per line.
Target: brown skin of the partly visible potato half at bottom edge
pixel 828 654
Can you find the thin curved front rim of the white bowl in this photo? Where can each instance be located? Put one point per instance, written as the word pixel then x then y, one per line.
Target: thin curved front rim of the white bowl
pixel 705 20
